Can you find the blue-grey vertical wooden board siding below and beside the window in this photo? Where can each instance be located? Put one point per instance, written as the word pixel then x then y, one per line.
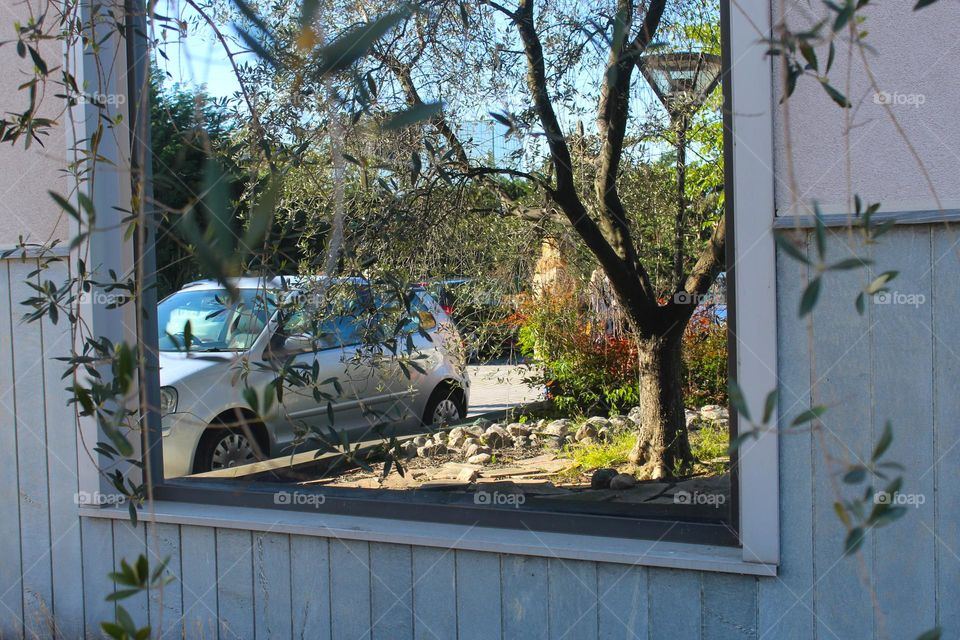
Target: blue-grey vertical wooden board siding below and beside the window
pixel 897 361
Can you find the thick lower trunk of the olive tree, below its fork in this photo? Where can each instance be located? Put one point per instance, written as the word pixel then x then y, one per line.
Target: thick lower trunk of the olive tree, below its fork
pixel 662 448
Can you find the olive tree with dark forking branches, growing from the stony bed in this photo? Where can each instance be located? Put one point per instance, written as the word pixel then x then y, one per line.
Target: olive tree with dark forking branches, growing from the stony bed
pixel 537 57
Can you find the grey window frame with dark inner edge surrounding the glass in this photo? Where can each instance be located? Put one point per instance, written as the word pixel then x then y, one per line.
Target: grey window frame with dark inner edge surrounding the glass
pixel 748 149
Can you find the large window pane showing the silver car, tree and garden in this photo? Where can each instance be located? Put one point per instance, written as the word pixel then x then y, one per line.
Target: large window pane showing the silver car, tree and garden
pixel 488 288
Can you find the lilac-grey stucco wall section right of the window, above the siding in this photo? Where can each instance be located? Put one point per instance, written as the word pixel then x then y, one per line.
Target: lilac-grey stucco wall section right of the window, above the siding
pixel 914 63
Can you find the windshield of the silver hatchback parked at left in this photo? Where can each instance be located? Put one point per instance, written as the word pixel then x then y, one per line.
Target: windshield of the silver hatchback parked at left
pixel 210 321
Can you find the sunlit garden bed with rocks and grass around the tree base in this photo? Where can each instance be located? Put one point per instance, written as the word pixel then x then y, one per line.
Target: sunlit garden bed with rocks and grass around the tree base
pixel 584 459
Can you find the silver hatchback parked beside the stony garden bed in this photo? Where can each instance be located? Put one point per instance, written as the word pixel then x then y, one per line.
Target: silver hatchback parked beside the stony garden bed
pixel 208 423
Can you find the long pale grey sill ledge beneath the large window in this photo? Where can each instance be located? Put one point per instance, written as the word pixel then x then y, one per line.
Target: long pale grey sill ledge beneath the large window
pixel 648 553
